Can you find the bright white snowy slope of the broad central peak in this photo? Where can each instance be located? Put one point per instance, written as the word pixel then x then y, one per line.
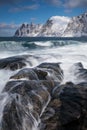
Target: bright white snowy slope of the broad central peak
pixel 54 26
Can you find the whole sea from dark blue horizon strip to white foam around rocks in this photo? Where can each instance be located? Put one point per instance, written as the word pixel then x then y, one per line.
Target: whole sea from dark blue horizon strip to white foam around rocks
pixel 66 51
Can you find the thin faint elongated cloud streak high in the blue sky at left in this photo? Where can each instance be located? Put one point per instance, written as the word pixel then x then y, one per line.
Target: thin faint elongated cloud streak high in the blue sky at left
pixel 24 8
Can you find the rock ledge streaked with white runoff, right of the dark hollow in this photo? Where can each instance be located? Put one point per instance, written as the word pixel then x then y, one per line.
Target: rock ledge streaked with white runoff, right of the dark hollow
pixel 54 71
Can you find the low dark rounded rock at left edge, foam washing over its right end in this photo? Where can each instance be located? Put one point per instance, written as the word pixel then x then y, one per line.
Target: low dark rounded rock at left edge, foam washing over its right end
pixel 17 62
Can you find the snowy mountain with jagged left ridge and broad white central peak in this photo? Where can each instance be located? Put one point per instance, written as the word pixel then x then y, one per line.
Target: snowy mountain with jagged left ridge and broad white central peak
pixel 54 26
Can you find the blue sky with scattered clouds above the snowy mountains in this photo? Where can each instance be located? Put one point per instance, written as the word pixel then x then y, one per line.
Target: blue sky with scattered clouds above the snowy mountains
pixel 15 12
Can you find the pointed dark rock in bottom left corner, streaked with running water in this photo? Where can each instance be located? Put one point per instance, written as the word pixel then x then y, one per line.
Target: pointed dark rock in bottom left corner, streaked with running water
pixel 15 117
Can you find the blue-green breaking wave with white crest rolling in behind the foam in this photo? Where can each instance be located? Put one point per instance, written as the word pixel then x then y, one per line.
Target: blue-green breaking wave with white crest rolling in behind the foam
pixel 25 45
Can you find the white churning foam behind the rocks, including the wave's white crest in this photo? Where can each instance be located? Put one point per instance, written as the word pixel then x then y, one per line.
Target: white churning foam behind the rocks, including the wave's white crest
pixel 67 55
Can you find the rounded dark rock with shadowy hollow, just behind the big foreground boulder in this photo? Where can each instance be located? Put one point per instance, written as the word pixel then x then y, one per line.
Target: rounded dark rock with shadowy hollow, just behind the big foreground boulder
pixel 35 74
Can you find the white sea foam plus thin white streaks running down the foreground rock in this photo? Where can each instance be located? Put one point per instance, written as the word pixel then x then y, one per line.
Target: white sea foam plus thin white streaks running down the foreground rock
pixel 67 55
